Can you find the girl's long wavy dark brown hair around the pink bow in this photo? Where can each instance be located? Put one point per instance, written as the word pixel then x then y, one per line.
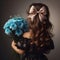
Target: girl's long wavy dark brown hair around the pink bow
pixel 42 31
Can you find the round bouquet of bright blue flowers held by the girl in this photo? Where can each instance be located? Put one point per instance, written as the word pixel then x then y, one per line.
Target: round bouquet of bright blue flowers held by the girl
pixel 15 27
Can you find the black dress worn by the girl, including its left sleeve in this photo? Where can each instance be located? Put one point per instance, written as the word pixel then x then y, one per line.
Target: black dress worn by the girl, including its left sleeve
pixel 31 51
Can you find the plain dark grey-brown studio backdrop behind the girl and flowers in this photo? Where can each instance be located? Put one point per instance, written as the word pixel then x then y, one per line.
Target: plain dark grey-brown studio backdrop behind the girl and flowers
pixel 10 8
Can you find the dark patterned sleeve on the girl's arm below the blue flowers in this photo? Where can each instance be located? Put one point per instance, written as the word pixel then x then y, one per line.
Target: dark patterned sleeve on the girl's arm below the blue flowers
pixel 23 43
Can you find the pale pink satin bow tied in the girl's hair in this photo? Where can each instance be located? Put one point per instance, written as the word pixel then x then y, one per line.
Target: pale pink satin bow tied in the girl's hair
pixel 33 11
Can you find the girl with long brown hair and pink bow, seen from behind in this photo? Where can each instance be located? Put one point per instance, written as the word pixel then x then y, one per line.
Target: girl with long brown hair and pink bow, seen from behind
pixel 38 40
